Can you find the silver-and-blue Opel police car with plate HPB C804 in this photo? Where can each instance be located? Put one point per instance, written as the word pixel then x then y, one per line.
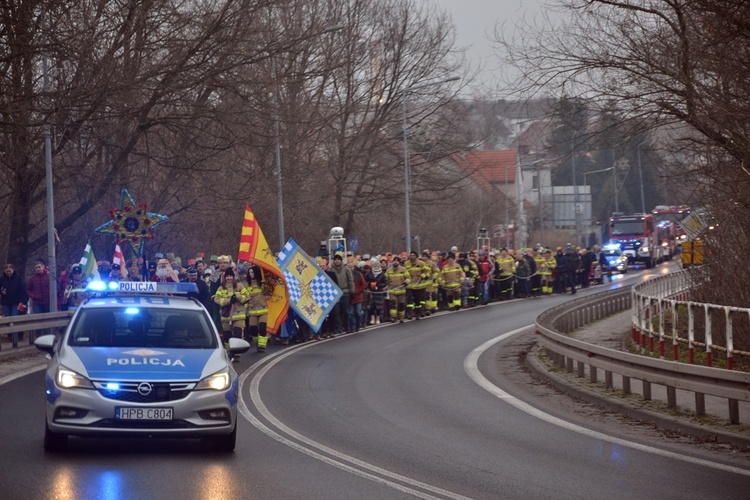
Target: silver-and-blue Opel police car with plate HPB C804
pixel 143 359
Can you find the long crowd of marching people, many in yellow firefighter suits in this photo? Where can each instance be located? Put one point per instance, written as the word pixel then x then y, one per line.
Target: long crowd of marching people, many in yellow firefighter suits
pixel 375 289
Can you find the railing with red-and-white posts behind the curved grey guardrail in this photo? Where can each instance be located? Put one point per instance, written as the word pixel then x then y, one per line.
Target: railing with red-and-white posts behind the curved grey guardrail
pixel 666 299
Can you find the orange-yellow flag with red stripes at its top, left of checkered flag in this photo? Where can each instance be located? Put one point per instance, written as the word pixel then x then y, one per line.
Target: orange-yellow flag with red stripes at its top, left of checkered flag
pixel 254 249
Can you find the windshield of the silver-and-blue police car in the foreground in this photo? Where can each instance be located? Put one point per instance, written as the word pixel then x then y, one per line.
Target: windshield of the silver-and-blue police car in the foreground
pixel 142 327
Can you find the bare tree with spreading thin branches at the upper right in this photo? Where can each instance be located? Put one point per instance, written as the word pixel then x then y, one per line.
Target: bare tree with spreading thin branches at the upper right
pixel 665 63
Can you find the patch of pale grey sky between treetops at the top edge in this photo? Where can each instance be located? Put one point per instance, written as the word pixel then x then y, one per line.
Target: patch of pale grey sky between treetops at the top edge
pixel 475 21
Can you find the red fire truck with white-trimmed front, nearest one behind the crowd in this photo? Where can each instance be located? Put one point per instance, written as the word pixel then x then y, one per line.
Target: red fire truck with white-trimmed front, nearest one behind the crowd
pixel 638 236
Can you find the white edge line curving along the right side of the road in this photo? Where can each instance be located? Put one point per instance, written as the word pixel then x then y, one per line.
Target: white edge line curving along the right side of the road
pixel 472 369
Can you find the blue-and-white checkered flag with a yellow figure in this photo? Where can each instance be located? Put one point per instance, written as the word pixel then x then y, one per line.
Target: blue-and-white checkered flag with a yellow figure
pixel 312 294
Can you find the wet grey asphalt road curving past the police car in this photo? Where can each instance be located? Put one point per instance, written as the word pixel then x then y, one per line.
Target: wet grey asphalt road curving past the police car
pixel 438 408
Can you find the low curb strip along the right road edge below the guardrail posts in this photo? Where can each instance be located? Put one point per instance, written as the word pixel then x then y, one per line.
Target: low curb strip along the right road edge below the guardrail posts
pixel 617 405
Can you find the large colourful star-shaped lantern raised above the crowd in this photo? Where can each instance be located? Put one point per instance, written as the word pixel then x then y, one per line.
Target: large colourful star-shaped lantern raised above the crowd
pixel 131 223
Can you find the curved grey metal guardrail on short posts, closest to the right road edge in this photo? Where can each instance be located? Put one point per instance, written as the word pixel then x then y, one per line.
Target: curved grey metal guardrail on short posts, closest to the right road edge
pixel 572 355
